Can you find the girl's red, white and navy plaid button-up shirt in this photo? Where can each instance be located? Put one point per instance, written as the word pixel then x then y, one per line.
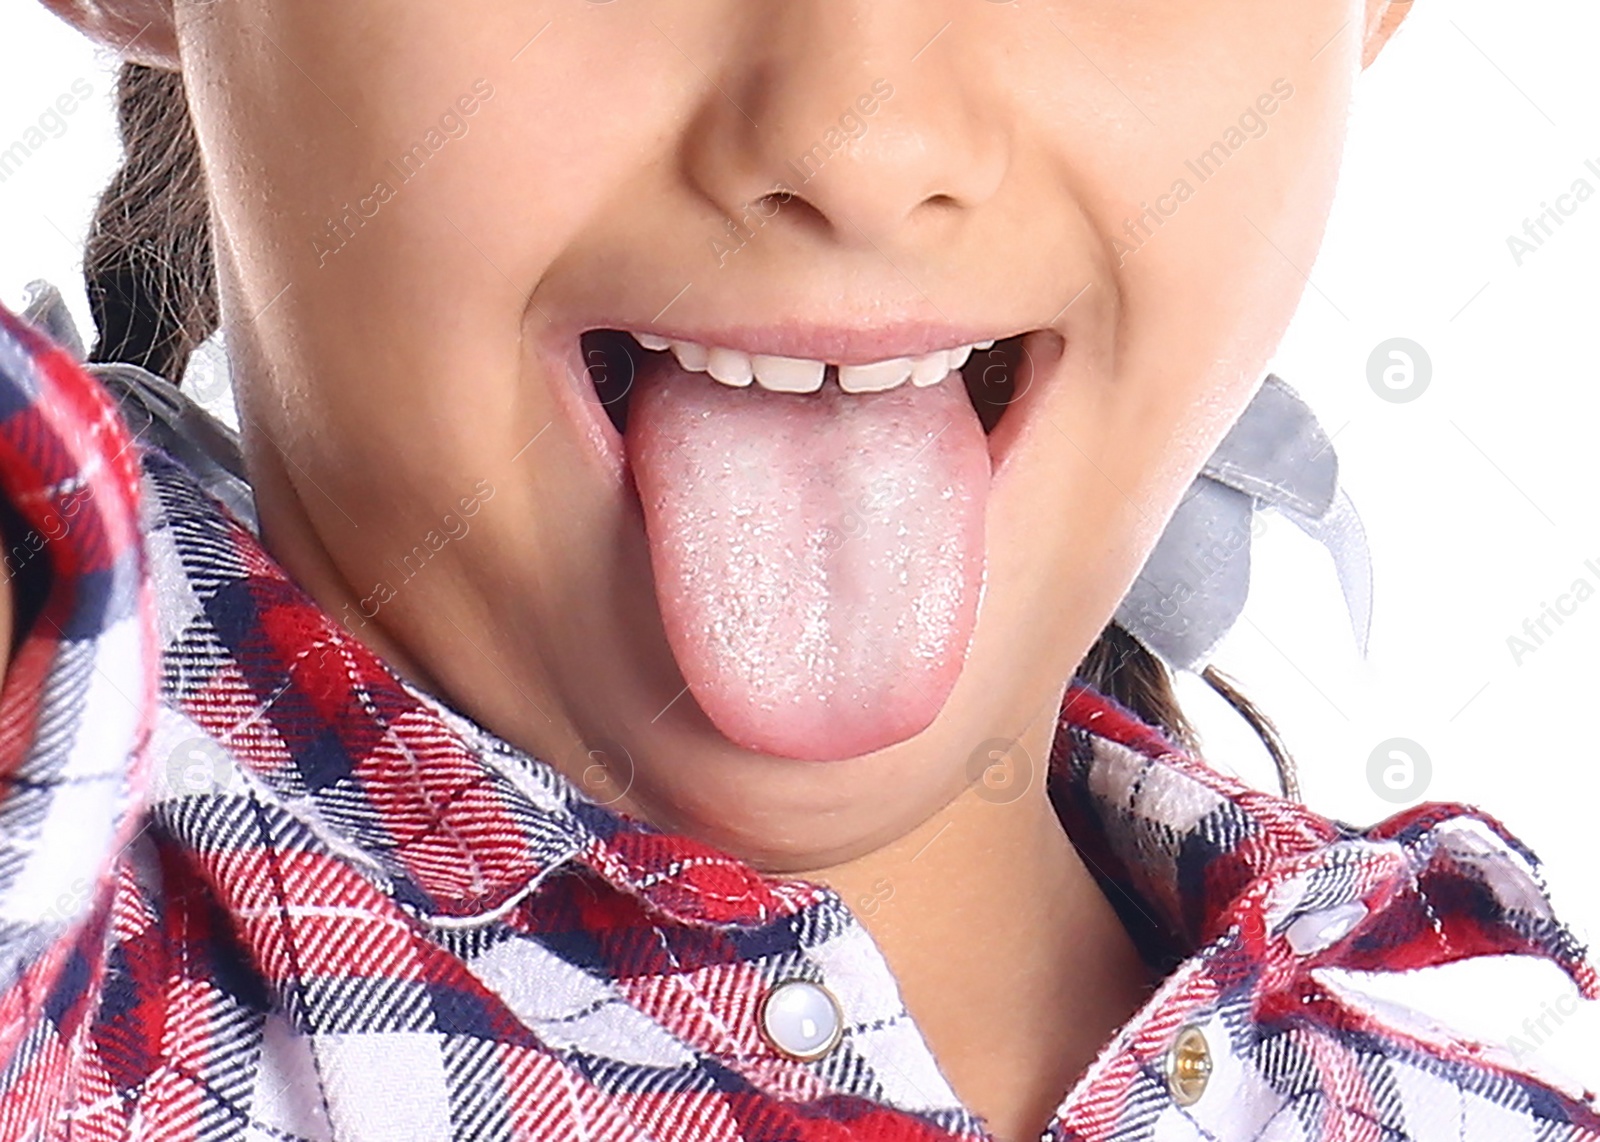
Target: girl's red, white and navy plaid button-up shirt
pixel 257 887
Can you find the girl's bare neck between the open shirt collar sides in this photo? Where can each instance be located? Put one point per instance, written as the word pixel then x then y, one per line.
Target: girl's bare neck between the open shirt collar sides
pixel 1009 957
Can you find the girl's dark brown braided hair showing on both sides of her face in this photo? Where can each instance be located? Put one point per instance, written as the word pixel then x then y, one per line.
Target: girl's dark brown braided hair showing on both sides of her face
pixel 153 290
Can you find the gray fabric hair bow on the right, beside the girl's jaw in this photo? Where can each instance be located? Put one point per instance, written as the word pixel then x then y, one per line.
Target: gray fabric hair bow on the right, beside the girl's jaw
pixel 1194 585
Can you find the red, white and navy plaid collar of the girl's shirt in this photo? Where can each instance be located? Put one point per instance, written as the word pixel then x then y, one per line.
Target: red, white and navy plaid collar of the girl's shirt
pixel 460 826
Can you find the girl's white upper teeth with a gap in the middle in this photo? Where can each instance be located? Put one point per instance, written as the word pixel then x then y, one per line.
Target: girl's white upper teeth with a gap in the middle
pixel 802 375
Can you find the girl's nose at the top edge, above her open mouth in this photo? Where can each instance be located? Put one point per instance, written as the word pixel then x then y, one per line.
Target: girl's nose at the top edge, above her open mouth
pixel 860 111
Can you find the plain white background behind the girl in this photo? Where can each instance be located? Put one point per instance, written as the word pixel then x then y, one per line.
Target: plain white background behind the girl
pixel 1479 497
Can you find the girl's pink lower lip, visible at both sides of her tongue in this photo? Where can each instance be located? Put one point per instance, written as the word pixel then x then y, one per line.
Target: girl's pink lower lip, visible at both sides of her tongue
pixel 564 365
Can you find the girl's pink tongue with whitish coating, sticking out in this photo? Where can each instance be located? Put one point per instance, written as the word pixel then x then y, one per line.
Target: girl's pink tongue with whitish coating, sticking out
pixel 818 557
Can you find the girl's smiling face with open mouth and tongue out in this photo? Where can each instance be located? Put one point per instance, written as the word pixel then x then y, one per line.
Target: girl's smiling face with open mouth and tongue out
pixel 791 625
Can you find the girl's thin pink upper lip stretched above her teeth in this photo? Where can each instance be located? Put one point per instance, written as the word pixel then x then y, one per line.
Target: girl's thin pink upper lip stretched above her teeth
pixel 834 345
